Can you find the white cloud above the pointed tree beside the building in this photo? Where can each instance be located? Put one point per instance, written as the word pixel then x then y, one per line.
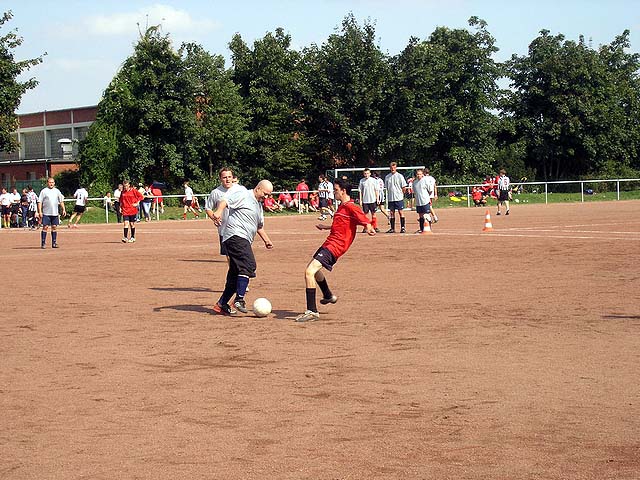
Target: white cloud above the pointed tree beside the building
pixel 171 19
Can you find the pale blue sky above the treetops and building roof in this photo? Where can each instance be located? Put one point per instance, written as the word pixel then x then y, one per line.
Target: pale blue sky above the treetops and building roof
pixel 86 42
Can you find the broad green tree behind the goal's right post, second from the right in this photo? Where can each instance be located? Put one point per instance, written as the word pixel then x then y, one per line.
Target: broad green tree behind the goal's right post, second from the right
pixel 441 102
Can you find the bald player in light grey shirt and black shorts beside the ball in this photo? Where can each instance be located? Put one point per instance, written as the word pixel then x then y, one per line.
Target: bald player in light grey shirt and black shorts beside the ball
pixel 245 220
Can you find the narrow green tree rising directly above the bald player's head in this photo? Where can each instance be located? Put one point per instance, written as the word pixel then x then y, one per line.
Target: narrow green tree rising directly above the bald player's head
pixel 271 82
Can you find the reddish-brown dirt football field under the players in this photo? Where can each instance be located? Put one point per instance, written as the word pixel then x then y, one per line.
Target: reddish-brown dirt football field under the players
pixel 459 355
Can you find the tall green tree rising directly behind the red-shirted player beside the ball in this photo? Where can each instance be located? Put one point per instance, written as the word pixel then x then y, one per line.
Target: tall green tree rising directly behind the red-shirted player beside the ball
pixel 346 76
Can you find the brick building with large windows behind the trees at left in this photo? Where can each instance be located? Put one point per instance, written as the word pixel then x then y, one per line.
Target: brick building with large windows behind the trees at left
pixel 40 154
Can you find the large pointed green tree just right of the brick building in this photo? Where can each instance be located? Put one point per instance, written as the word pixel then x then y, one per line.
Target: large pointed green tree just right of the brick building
pixel 151 105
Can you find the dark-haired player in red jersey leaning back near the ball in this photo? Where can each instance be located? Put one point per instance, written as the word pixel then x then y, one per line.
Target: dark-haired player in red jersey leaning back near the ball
pixel 343 232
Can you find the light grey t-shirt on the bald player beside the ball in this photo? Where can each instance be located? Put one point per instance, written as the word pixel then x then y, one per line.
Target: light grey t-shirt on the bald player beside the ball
pixel 245 214
